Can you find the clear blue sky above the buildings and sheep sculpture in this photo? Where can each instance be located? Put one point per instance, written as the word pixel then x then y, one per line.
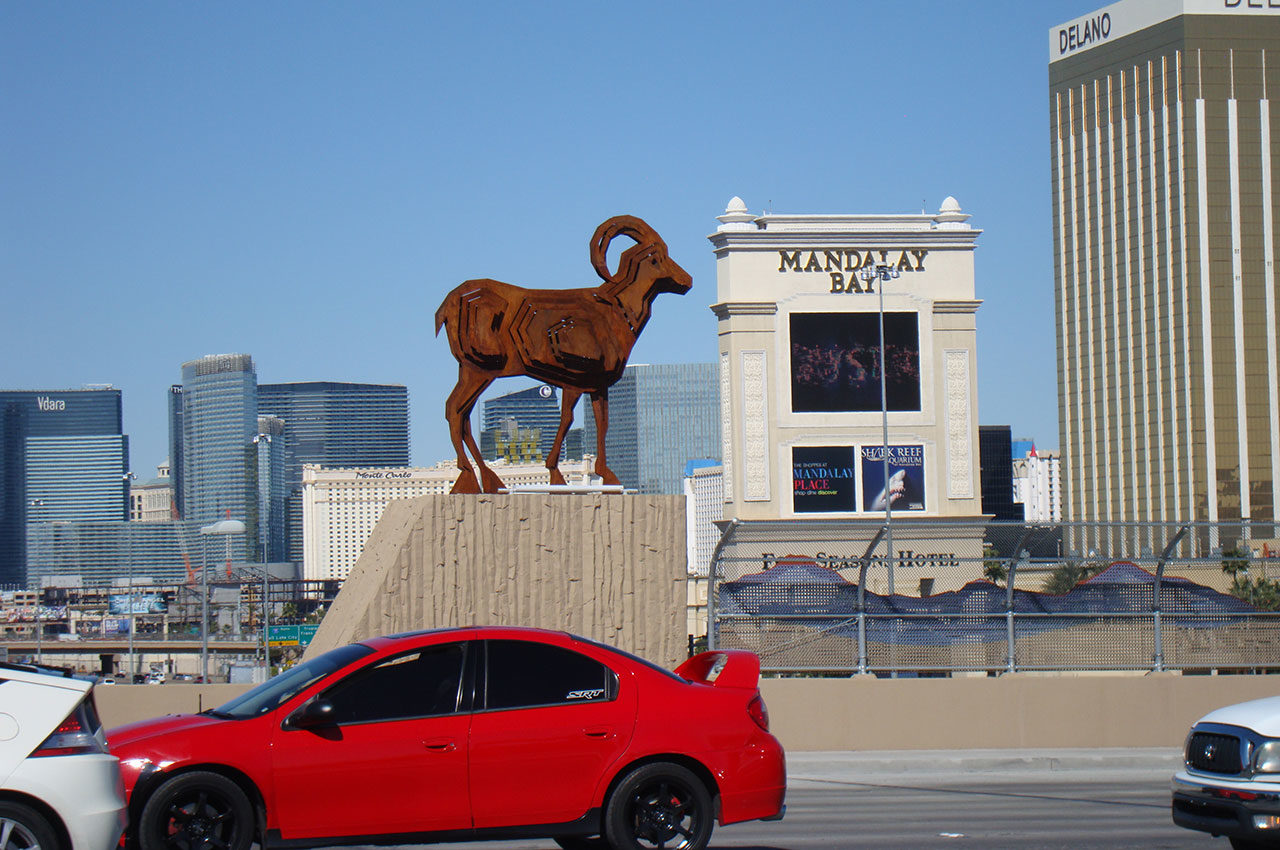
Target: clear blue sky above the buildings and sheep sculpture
pixel 305 181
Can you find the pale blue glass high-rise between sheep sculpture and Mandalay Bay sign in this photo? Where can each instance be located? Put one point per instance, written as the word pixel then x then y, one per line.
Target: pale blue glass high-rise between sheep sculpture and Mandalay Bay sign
pixel 661 418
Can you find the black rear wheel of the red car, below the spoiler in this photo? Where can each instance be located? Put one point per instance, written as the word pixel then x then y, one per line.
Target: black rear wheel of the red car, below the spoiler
pixel 660 806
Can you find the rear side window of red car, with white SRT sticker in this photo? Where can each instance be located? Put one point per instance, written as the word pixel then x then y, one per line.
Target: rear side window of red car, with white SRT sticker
pixel 522 674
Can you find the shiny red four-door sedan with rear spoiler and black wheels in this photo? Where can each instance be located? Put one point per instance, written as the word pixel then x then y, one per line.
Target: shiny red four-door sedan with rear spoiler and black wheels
pixel 460 735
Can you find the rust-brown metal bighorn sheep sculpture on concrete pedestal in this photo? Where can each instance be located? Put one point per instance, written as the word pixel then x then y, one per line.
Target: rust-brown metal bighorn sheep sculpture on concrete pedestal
pixel 577 340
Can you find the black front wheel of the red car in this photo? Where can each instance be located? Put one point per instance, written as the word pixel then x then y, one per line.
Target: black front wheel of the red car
pixel 199 811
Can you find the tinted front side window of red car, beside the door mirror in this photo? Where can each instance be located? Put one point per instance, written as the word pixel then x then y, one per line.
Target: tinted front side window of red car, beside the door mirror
pixel 419 684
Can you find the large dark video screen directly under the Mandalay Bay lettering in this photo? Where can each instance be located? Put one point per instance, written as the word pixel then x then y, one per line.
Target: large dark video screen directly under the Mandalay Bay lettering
pixel 835 362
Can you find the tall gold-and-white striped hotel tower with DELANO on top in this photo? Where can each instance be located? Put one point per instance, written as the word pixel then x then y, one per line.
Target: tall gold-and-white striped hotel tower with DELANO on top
pixel 1164 154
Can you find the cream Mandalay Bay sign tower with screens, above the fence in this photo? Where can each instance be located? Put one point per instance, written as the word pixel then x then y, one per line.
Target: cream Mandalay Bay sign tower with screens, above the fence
pixel 802 410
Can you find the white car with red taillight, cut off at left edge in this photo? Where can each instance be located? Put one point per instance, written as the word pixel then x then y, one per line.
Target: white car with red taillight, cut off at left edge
pixel 61 788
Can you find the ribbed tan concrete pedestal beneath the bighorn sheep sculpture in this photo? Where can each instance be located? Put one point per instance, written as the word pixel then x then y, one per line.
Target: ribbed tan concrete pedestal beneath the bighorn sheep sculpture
pixel 610 568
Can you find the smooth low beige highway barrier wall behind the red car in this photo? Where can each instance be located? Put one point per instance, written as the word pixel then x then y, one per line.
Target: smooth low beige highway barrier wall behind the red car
pixel 867 714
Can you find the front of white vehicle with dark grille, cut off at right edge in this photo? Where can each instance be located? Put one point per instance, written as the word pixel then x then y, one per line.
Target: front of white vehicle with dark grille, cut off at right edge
pixel 1231 779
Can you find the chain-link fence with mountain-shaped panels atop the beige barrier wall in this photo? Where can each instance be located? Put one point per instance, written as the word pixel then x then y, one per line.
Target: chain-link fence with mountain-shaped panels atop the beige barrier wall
pixel 822 597
